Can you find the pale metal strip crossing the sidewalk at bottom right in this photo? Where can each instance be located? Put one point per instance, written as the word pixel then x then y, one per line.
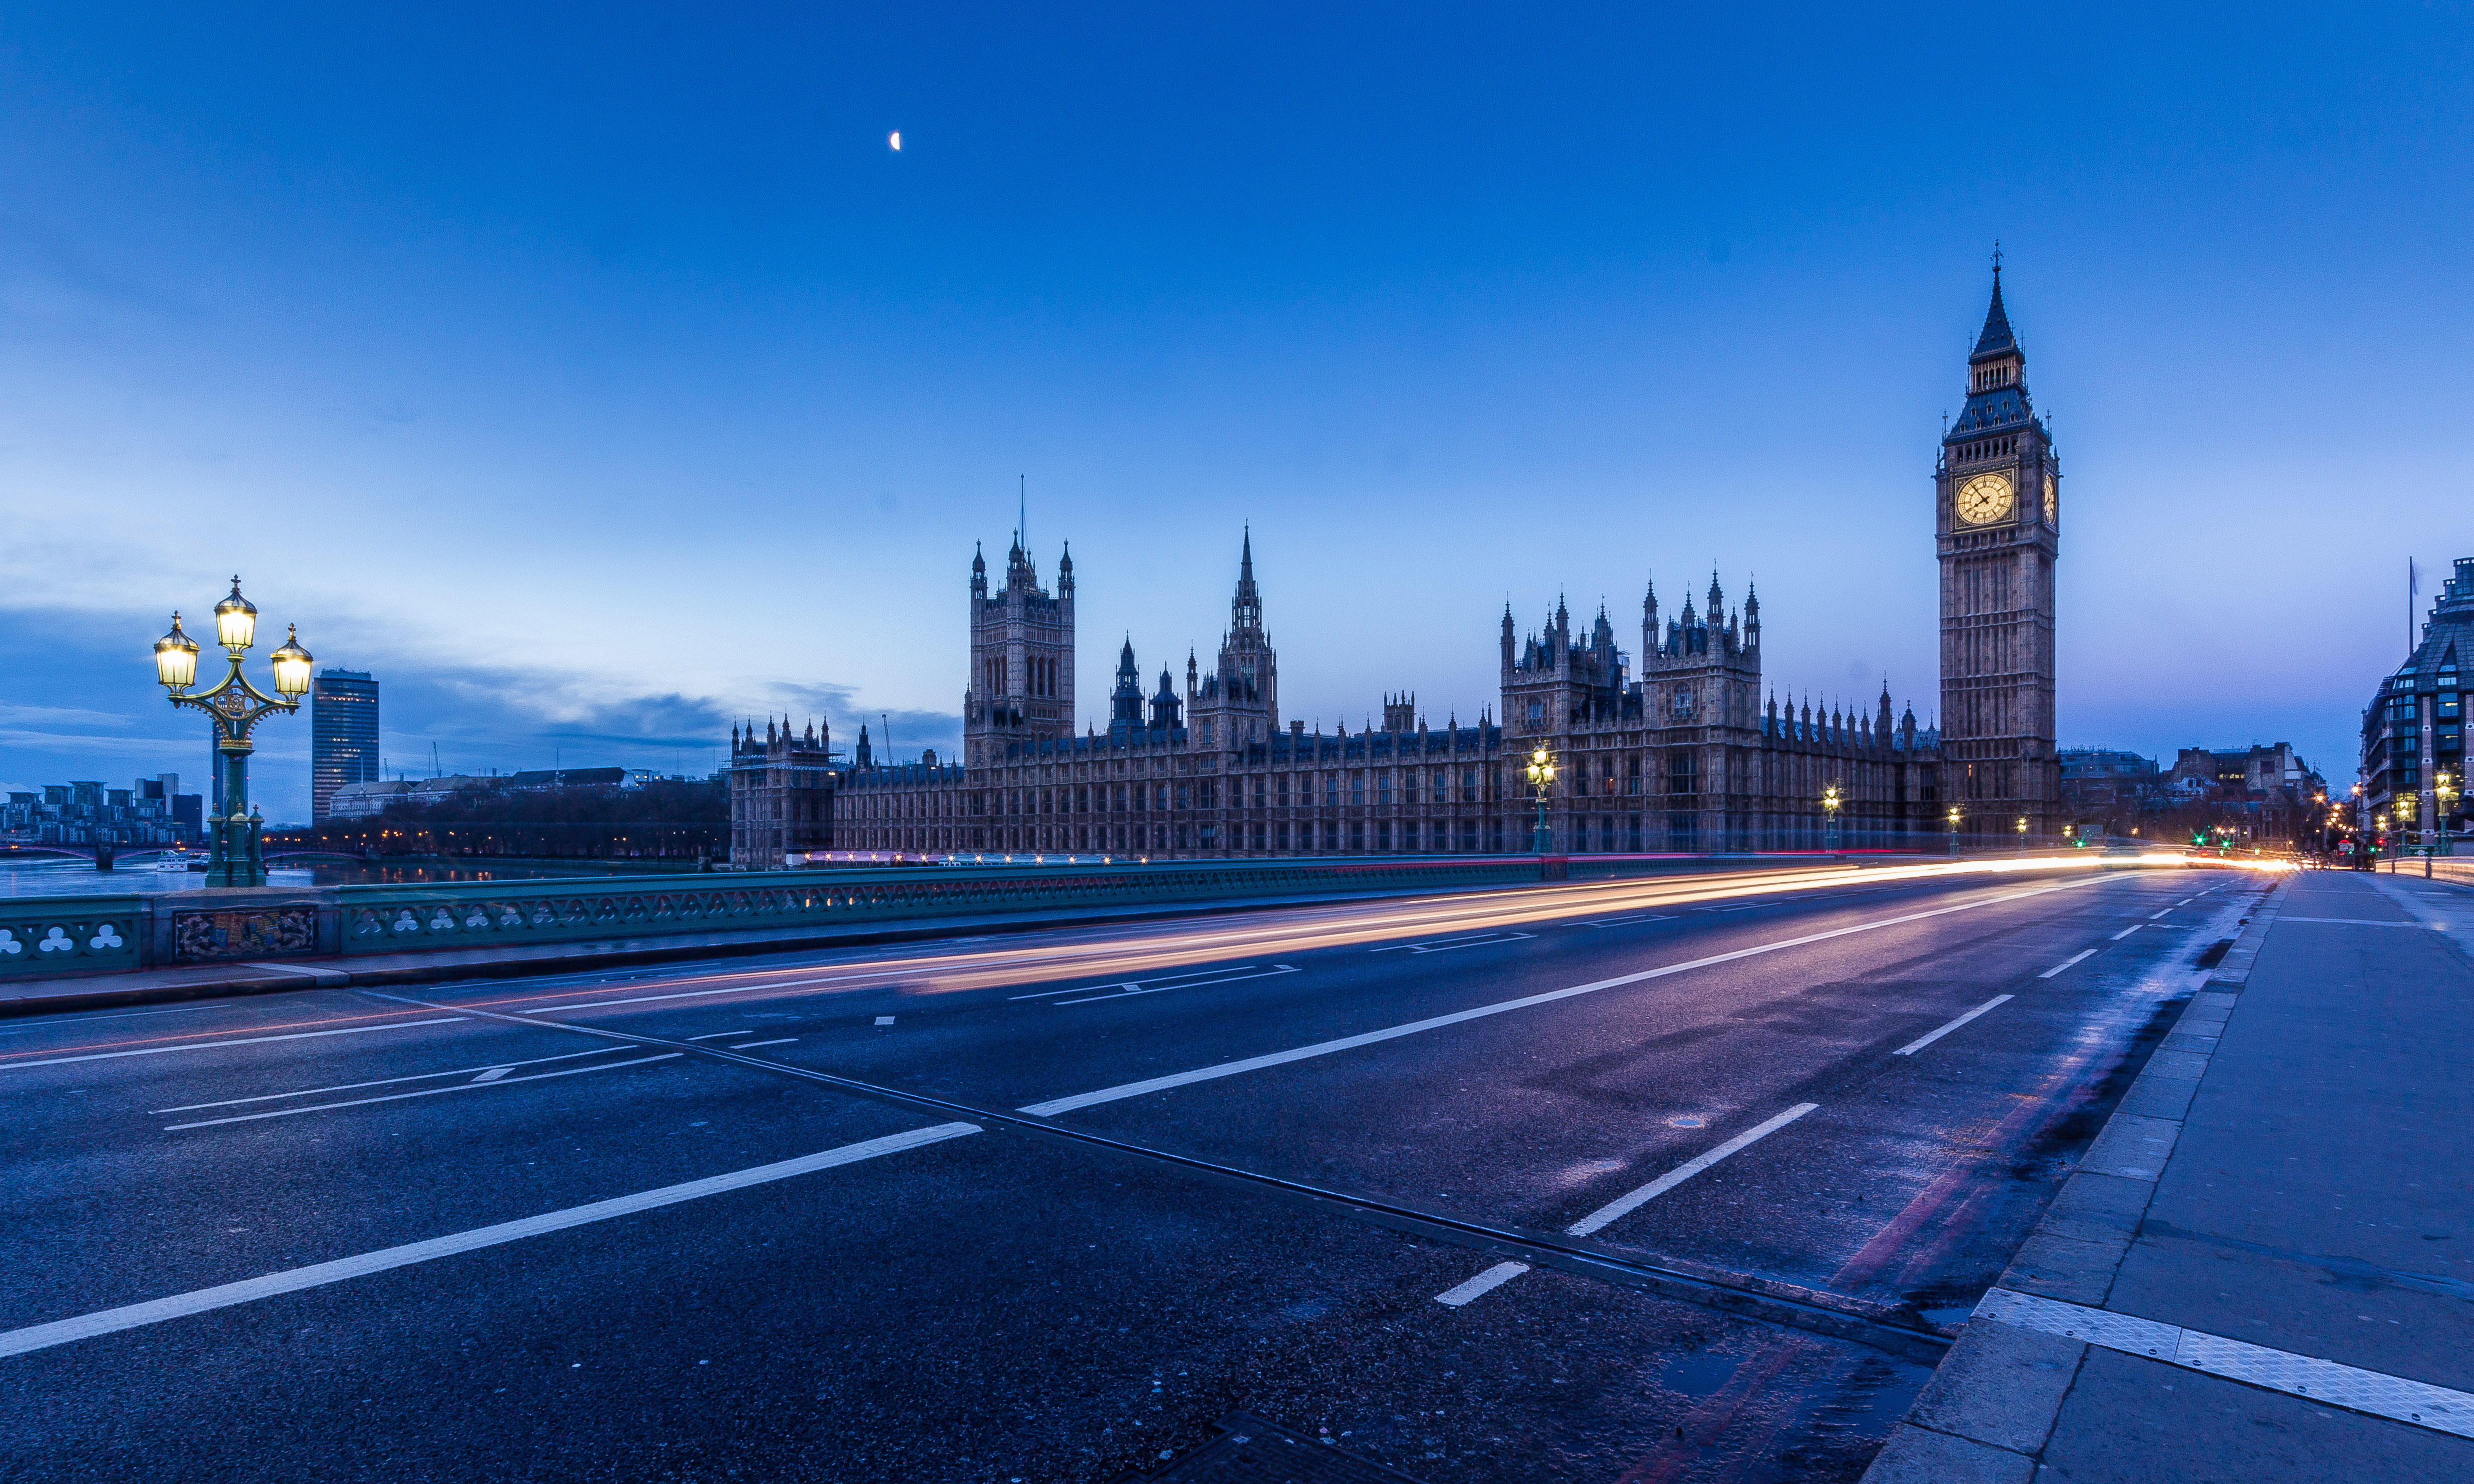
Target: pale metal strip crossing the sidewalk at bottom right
pixel 2285 1371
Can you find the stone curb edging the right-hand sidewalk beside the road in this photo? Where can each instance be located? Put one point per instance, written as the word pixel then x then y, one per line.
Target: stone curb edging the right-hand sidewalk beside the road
pixel 1990 1409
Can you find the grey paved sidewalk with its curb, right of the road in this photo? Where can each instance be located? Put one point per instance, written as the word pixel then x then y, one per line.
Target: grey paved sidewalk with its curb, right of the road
pixel 2265 1265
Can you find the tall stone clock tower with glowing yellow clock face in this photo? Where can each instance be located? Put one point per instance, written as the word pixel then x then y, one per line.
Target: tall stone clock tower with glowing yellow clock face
pixel 1998 531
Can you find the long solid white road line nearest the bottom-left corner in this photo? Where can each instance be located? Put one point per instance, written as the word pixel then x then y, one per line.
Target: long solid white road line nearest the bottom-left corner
pixel 105 1322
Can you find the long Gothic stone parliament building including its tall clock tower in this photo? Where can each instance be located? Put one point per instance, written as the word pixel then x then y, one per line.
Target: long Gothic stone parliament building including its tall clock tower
pixel 1679 753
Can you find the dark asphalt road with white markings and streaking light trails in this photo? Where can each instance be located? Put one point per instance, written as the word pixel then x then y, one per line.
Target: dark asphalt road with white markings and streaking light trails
pixel 1431 1179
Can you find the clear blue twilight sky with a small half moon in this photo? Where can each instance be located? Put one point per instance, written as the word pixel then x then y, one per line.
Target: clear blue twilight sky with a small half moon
pixel 602 375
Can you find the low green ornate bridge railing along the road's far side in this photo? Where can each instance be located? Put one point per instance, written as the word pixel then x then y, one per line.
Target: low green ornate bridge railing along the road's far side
pixel 100 934
